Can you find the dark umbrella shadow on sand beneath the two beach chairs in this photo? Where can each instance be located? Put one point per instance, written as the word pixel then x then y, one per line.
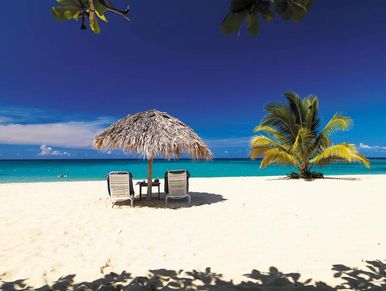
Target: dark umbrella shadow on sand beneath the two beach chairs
pixel 198 199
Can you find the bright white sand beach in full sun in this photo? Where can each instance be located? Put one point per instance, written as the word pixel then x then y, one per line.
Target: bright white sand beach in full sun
pixel 234 225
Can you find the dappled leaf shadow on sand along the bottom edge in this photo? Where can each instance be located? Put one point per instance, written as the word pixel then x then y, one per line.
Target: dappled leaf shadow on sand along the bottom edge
pixel 373 278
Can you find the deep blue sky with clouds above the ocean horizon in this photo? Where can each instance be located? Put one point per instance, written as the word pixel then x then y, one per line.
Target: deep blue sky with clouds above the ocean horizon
pixel 59 85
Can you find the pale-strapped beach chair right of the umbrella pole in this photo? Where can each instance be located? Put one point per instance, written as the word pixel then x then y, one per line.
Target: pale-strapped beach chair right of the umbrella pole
pixel 177 185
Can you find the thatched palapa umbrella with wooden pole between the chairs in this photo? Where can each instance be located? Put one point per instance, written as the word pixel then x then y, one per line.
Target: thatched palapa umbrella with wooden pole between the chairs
pixel 153 134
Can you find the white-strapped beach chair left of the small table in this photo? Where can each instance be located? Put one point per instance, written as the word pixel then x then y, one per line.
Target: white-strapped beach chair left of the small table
pixel 120 187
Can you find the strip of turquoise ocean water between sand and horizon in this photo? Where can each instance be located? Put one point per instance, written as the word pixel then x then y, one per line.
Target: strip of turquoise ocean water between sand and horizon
pixel 77 170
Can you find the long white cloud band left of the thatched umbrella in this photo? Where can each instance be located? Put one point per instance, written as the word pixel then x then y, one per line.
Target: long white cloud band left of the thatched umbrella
pixel 65 134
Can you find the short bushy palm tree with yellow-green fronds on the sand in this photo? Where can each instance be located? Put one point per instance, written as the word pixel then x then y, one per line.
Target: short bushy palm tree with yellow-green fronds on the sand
pixel 291 136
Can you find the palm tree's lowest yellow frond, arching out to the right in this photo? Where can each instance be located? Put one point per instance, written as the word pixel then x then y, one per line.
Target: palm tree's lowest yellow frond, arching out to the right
pixel 340 152
